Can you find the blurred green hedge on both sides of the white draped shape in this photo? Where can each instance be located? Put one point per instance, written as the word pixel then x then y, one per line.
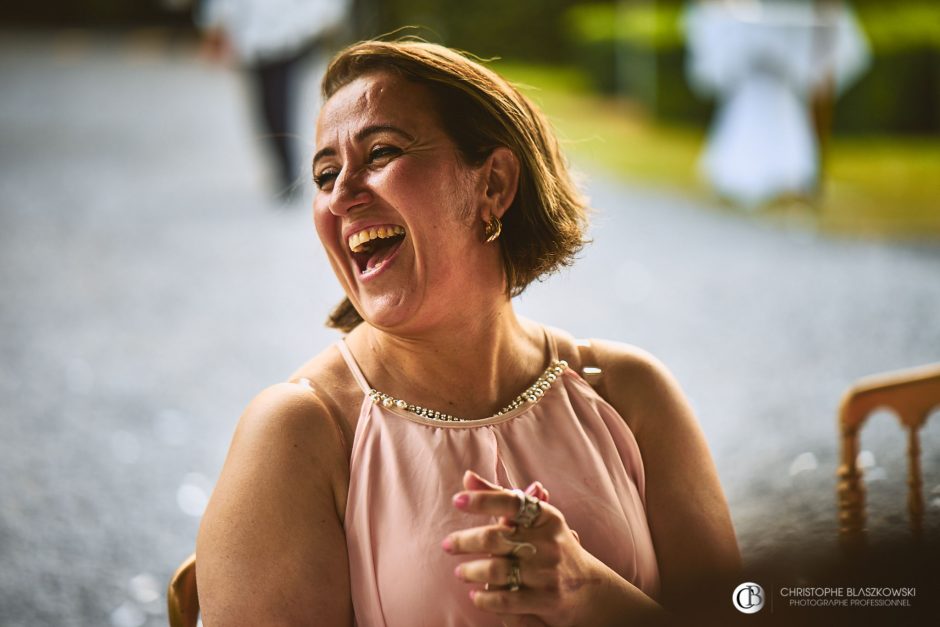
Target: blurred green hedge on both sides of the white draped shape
pixel 637 50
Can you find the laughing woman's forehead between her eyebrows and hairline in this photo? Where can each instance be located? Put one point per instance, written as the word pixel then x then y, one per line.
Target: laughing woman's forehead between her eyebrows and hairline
pixel 380 97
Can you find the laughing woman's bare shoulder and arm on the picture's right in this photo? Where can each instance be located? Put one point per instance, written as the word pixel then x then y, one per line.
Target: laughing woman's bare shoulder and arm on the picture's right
pixel 688 515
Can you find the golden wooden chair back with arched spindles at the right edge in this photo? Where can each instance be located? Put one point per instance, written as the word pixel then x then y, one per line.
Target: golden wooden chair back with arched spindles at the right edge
pixel 911 395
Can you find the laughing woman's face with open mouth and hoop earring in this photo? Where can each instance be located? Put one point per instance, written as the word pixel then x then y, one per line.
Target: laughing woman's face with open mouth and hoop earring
pixel 397 209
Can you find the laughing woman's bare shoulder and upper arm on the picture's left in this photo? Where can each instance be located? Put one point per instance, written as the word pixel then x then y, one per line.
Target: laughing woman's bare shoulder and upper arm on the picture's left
pixel 271 548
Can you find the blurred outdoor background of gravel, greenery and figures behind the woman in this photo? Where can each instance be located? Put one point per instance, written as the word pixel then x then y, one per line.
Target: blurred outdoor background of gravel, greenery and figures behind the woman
pixel 767 185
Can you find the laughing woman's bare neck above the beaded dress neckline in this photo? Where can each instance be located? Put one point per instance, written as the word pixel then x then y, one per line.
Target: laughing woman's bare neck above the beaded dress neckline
pixel 467 366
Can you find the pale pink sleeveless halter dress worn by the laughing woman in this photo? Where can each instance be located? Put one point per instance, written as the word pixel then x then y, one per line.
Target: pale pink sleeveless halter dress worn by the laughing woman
pixel 405 468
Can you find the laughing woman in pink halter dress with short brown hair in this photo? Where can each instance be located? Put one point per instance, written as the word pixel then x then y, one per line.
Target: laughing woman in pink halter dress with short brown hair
pixel 447 462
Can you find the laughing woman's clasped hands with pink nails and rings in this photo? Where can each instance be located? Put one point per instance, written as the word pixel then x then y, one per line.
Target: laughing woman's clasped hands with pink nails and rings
pixel 559 582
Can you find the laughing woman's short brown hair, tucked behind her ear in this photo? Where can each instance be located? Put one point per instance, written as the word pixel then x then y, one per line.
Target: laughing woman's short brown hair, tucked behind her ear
pixel 543 229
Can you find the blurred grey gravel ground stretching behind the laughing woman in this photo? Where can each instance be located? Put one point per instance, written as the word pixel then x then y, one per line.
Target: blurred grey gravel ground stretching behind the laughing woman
pixel 149 288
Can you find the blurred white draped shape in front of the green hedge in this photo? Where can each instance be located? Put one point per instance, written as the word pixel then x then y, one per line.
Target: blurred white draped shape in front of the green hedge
pixel 763 61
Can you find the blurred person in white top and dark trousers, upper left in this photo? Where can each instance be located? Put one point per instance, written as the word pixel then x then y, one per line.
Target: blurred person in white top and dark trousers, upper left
pixel 271 39
